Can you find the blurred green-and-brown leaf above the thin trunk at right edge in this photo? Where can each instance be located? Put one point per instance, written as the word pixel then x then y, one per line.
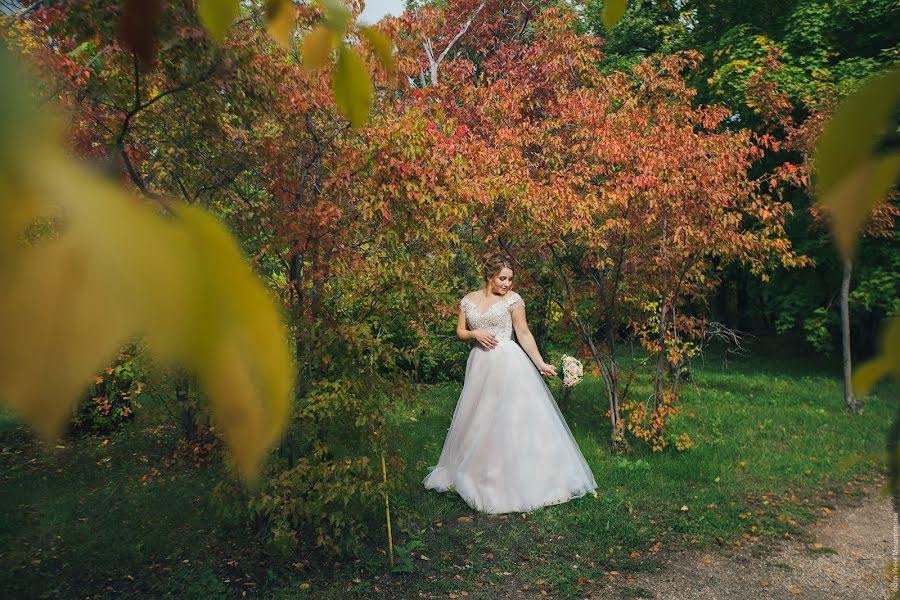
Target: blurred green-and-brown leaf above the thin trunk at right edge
pixel 851 176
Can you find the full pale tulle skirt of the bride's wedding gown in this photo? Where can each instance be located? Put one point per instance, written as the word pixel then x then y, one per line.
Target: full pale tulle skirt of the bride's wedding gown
pixel 509 448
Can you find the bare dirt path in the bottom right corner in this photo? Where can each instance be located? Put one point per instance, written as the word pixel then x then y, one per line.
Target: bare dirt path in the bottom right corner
pixel 844 555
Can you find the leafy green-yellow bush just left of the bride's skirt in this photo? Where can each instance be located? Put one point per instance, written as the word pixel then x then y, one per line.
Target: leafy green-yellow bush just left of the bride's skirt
pixel 324 487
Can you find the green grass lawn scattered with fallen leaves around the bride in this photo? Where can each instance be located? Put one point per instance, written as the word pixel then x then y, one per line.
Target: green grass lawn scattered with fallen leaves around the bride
pixel 118 516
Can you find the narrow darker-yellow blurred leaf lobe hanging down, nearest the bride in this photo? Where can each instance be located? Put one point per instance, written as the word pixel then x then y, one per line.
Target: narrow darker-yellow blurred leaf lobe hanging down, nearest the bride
pixel 248 371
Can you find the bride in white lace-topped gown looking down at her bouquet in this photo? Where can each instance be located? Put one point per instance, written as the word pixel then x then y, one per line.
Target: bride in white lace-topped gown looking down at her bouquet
pixel 508 448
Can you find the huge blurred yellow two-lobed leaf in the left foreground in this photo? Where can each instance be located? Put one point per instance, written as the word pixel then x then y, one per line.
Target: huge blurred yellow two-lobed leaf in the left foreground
pixel 114 268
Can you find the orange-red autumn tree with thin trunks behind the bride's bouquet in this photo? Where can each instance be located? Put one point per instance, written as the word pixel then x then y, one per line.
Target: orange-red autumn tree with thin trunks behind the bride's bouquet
pixel 617 188
